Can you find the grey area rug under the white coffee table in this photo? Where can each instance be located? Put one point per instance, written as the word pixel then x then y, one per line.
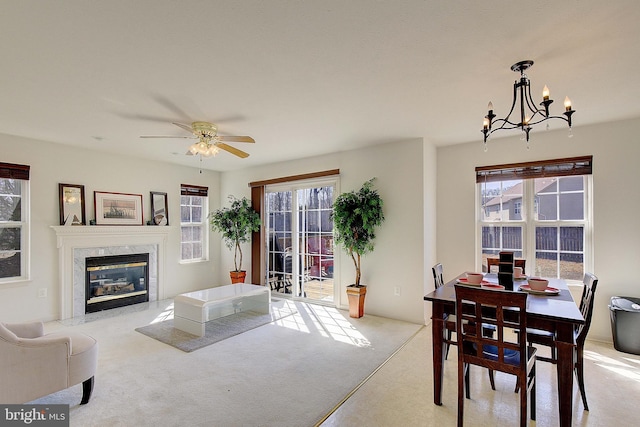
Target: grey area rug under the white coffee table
pixel 215 330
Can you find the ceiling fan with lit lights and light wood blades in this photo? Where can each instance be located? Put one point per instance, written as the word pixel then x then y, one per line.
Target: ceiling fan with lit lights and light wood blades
pixel 209 142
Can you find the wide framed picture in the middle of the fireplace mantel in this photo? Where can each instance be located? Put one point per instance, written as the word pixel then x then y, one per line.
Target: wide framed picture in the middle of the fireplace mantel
pixel 118 208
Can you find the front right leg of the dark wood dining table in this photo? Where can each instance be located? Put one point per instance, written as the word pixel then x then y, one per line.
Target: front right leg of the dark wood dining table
pixel 565 346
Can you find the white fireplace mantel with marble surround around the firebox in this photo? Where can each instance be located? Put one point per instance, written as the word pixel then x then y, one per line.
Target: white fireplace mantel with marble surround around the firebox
pixel 76 243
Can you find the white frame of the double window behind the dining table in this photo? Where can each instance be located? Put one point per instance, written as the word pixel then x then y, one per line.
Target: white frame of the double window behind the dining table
pixel 529 224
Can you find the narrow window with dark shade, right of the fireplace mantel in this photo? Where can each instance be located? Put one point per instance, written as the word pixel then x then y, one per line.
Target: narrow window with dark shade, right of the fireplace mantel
pixel 194 205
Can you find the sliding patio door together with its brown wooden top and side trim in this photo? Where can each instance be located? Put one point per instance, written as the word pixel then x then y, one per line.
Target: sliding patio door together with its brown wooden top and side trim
pixel 317 189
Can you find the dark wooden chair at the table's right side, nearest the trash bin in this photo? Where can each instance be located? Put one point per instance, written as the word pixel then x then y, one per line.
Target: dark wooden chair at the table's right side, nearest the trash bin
pixel 545 338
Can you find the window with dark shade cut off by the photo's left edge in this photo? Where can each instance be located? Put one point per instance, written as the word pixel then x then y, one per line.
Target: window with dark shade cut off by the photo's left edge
pixel 14 222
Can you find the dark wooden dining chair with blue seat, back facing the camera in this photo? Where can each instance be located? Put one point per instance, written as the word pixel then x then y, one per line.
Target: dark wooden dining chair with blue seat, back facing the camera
pixel 505 310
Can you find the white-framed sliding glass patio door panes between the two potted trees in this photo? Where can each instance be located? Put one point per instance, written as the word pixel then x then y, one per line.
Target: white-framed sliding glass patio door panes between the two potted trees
pixel 299 243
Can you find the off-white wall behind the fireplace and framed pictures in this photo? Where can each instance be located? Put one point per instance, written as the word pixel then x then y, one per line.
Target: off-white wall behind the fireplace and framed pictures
pixel 54 163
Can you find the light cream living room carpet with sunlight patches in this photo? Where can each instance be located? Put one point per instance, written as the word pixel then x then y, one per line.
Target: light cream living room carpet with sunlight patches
pixel 291 372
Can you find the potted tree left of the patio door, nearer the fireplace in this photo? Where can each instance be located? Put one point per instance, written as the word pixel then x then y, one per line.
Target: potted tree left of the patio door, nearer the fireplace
pixel 236 223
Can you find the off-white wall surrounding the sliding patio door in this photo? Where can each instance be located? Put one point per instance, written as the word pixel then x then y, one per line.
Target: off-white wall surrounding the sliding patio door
pixel 398 258
